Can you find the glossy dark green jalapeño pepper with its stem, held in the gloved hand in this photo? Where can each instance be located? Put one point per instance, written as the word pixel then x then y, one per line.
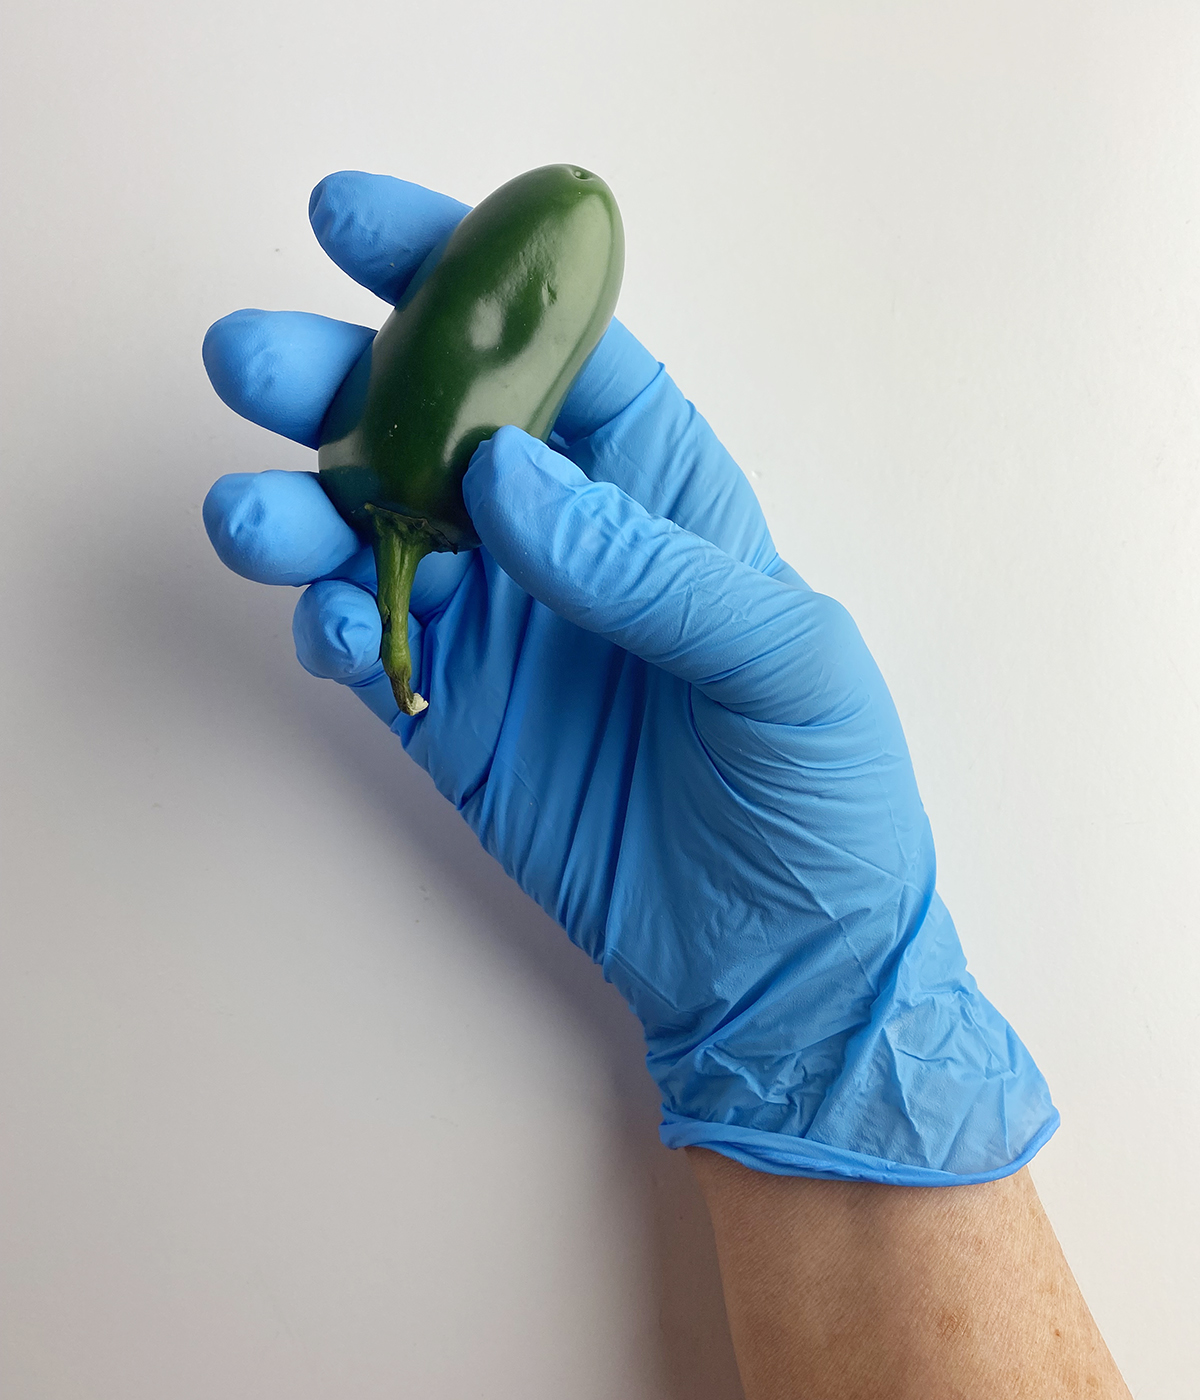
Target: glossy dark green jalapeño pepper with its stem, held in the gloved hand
pixel 492 331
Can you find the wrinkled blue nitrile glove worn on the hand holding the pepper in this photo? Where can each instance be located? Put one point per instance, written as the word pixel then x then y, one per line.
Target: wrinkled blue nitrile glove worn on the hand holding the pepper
pixel 680 750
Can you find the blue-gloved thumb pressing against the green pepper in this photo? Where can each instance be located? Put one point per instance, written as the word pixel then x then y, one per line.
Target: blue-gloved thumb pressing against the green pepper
pixel 762 647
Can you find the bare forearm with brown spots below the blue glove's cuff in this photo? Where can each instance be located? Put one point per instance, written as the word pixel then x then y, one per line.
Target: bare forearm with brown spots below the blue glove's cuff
pixel 858 1291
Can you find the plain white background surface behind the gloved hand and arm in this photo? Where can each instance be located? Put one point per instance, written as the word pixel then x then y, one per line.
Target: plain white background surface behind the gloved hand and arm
pixel 299 1097
